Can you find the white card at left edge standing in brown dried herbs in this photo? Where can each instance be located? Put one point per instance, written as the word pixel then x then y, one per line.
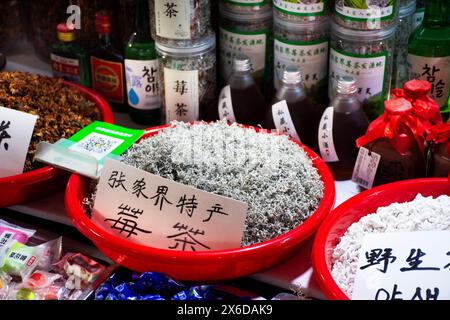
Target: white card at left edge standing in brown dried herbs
pixel 16 129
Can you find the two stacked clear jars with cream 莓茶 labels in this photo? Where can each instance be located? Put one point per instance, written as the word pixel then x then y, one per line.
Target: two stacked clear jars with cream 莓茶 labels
pixel 185 43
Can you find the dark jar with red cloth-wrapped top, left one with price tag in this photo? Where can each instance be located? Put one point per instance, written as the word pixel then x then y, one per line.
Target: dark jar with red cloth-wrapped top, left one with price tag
pixel 401 155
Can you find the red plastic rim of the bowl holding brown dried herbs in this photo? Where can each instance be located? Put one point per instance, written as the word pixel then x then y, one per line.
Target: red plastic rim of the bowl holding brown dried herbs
pixel 48 174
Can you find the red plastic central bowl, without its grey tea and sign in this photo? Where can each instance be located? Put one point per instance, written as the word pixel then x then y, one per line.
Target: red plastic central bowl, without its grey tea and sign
pixel 206 265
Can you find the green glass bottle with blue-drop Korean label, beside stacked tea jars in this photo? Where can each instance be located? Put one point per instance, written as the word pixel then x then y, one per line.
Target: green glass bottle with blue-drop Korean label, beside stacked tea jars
pixel 142 71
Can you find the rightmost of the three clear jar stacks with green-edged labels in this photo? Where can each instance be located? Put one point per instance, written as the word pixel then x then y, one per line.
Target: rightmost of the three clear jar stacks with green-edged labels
pixel 362 41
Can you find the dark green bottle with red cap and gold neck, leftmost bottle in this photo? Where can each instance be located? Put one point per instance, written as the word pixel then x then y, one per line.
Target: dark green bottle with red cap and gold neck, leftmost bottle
pixel 70 61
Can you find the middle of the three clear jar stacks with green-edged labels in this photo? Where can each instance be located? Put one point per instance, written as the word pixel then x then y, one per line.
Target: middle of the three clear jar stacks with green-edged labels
pixel 301 32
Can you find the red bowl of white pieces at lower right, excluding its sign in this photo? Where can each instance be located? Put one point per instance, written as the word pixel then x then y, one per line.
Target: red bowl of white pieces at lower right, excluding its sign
pixel 358 208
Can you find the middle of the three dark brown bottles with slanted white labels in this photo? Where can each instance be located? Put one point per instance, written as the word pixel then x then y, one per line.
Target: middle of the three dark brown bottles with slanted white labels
pixel 292 112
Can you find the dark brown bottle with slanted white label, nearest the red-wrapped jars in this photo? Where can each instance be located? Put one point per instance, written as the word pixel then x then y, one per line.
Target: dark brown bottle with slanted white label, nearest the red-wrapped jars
pixel 342 123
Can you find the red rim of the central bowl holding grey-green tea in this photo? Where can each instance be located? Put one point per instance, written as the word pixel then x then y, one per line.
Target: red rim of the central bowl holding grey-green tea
pixel 106 241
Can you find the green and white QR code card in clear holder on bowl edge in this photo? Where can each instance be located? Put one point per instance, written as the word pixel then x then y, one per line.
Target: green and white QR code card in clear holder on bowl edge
pixel 85 152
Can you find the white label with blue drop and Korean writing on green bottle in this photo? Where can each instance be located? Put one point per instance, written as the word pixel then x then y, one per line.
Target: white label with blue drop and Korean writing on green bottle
pixel 142 83
